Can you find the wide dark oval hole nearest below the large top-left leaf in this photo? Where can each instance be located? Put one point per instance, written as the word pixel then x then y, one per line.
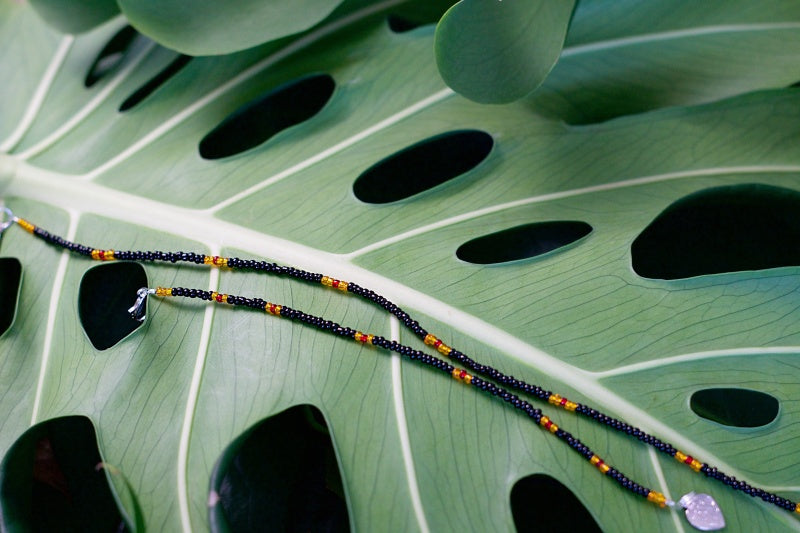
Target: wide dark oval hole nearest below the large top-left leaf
pixel 256 122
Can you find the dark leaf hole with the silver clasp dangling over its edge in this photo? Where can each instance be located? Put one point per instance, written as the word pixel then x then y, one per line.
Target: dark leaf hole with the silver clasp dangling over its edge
pixel 106 293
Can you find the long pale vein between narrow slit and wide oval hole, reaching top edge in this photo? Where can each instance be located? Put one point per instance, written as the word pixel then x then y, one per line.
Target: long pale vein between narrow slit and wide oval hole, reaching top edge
pixel 296 46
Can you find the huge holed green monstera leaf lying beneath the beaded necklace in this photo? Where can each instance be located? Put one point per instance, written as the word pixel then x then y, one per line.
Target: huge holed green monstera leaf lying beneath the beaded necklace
pixel 622 236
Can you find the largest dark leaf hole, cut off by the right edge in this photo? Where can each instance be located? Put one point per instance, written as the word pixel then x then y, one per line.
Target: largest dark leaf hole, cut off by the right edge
pixel 723 229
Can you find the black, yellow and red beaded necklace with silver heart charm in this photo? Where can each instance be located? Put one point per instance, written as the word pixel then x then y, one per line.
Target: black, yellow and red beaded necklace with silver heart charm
pixel 701 510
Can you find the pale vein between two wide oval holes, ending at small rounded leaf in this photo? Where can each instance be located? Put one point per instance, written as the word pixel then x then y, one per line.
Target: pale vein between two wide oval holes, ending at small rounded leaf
pixel 350 141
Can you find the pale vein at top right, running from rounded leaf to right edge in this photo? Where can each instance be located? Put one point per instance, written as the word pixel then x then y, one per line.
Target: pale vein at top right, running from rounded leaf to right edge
pixel 676 34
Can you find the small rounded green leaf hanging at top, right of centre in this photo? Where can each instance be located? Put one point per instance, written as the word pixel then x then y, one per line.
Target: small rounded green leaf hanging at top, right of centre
pixel 497 52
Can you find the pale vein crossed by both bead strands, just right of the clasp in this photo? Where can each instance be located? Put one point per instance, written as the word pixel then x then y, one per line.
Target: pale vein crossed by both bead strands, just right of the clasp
pixel 191 403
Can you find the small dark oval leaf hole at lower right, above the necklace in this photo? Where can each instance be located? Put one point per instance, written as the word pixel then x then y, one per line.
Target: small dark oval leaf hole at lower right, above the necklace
pixel 742 408
